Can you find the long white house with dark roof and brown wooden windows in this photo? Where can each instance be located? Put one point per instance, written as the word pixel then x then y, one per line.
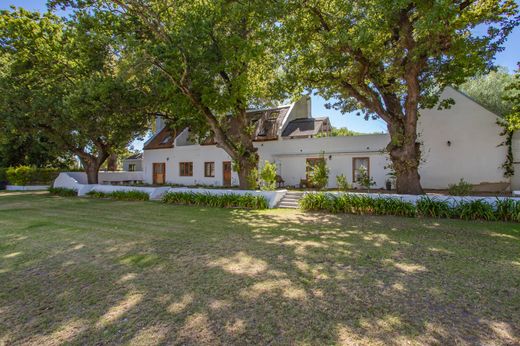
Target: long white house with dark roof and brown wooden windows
pixel 461 142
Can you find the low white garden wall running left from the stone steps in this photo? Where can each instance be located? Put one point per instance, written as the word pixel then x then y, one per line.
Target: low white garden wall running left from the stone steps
pixel 73 180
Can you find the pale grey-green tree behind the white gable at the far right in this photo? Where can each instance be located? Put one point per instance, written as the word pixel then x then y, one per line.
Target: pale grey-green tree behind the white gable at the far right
pixel 490 90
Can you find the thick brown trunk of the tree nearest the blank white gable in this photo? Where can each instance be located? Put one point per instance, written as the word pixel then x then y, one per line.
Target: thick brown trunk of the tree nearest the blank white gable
pixel 406 158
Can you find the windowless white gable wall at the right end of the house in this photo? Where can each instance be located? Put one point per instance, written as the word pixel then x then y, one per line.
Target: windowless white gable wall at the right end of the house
pixel 473 155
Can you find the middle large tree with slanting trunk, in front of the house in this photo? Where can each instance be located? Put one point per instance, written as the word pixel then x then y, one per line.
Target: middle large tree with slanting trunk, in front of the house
pixel 216 61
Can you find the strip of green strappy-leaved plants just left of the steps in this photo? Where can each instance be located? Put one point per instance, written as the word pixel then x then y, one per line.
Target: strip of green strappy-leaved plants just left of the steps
pixel 247 201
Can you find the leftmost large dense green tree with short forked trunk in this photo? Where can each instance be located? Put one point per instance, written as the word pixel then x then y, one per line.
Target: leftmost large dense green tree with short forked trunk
pixel 71 81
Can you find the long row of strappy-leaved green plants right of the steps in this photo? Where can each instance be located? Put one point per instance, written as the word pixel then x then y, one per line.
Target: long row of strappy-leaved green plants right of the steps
pixel 501 210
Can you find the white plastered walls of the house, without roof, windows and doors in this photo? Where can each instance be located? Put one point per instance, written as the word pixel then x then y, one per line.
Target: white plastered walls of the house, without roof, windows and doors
pixel 460 142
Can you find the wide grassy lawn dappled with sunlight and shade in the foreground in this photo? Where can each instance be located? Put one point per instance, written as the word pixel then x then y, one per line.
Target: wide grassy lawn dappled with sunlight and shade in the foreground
pixel 81 271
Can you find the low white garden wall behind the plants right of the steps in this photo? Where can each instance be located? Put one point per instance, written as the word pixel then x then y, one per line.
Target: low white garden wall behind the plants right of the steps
pixel 452 200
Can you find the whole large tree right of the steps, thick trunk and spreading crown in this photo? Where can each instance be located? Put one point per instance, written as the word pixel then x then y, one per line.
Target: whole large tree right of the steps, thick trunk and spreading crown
pixel 392 59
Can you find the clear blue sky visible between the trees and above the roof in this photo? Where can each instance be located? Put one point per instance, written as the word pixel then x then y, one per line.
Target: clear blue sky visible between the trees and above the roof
pixel 507 58
